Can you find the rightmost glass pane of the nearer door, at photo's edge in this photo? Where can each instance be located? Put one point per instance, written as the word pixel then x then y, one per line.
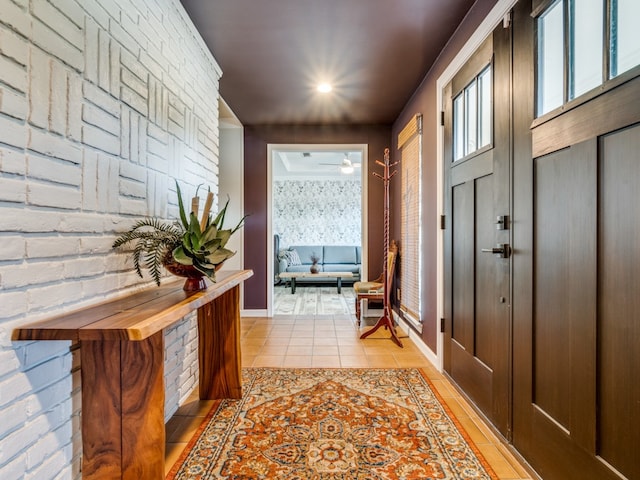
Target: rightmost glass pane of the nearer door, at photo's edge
pixel 625 35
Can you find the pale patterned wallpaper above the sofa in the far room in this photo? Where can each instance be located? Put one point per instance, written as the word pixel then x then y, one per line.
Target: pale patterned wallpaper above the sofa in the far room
pixel 308 212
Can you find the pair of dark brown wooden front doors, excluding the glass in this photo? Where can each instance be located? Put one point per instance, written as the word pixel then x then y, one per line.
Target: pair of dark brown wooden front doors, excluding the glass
pixel 547 342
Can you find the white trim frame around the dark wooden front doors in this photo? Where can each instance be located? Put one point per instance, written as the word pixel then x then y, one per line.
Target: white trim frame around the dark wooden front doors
pixel 499 13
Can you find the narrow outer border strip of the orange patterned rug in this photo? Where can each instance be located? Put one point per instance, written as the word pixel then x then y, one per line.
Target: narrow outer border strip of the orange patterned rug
pixel 214 408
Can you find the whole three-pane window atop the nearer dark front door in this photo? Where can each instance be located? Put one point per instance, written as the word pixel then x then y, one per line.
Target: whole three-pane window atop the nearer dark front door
pixel 599 47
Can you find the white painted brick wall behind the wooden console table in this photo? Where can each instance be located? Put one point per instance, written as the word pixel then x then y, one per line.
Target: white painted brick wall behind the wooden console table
pixel 102 104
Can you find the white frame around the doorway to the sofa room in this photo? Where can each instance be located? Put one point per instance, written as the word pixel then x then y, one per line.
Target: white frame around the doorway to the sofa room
pixel 272 148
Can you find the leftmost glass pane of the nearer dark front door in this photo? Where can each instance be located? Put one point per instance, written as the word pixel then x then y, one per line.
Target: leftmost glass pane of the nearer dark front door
pixel 550 59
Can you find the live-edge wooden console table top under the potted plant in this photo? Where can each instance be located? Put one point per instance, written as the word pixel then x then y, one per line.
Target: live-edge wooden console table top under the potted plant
pixel 133 317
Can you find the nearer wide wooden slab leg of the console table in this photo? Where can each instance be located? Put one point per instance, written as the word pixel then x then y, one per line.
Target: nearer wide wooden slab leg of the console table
pixel 123 433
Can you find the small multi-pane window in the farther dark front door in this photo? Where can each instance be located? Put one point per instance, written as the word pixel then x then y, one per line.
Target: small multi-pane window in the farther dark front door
pixel 472 116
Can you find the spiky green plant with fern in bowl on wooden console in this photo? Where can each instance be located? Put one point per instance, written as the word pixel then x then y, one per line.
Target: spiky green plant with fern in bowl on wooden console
pixel 191 247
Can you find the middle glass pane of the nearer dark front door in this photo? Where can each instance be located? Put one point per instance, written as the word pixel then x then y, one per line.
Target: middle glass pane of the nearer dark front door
pixel 586 45
